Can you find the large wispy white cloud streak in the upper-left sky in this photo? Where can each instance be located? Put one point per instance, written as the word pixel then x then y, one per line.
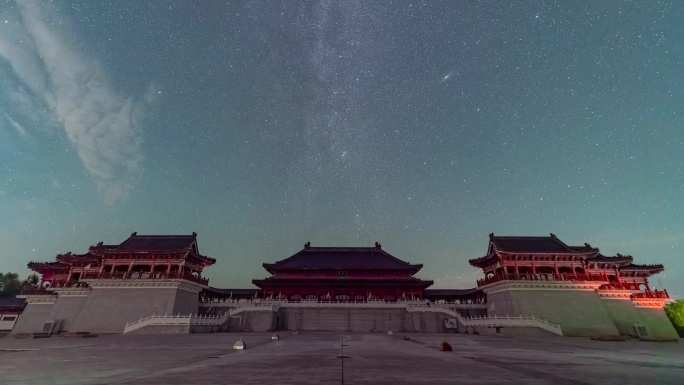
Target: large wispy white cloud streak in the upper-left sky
pixel 104 126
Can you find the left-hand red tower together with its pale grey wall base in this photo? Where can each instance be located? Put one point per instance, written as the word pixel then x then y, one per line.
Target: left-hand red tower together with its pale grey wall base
pixel 110 285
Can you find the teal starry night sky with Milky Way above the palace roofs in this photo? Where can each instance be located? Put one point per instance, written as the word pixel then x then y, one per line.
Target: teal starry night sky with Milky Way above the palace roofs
pixel 424 126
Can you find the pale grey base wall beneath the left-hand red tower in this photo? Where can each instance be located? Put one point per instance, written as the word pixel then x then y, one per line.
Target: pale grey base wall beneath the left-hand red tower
pixel 107 310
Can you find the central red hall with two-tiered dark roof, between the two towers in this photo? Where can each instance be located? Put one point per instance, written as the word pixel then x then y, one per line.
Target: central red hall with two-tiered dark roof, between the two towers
pixel 342 274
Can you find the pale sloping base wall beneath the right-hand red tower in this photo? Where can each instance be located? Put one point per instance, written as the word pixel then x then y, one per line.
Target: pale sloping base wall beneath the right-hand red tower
pixel 578 312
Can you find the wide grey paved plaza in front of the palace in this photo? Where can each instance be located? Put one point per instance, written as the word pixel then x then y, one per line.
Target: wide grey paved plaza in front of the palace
pixel 336 358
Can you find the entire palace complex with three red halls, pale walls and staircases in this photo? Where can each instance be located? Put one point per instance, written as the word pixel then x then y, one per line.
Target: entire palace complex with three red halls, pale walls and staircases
pixel 568 290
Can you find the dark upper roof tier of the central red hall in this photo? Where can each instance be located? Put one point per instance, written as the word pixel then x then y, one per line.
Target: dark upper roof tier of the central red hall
pixel 343 258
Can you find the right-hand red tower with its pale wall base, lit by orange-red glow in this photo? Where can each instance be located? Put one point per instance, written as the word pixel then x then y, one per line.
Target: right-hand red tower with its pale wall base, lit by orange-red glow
pixel 576 287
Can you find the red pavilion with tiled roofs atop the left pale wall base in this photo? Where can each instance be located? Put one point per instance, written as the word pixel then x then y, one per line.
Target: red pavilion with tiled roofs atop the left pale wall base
pixel 139 256
